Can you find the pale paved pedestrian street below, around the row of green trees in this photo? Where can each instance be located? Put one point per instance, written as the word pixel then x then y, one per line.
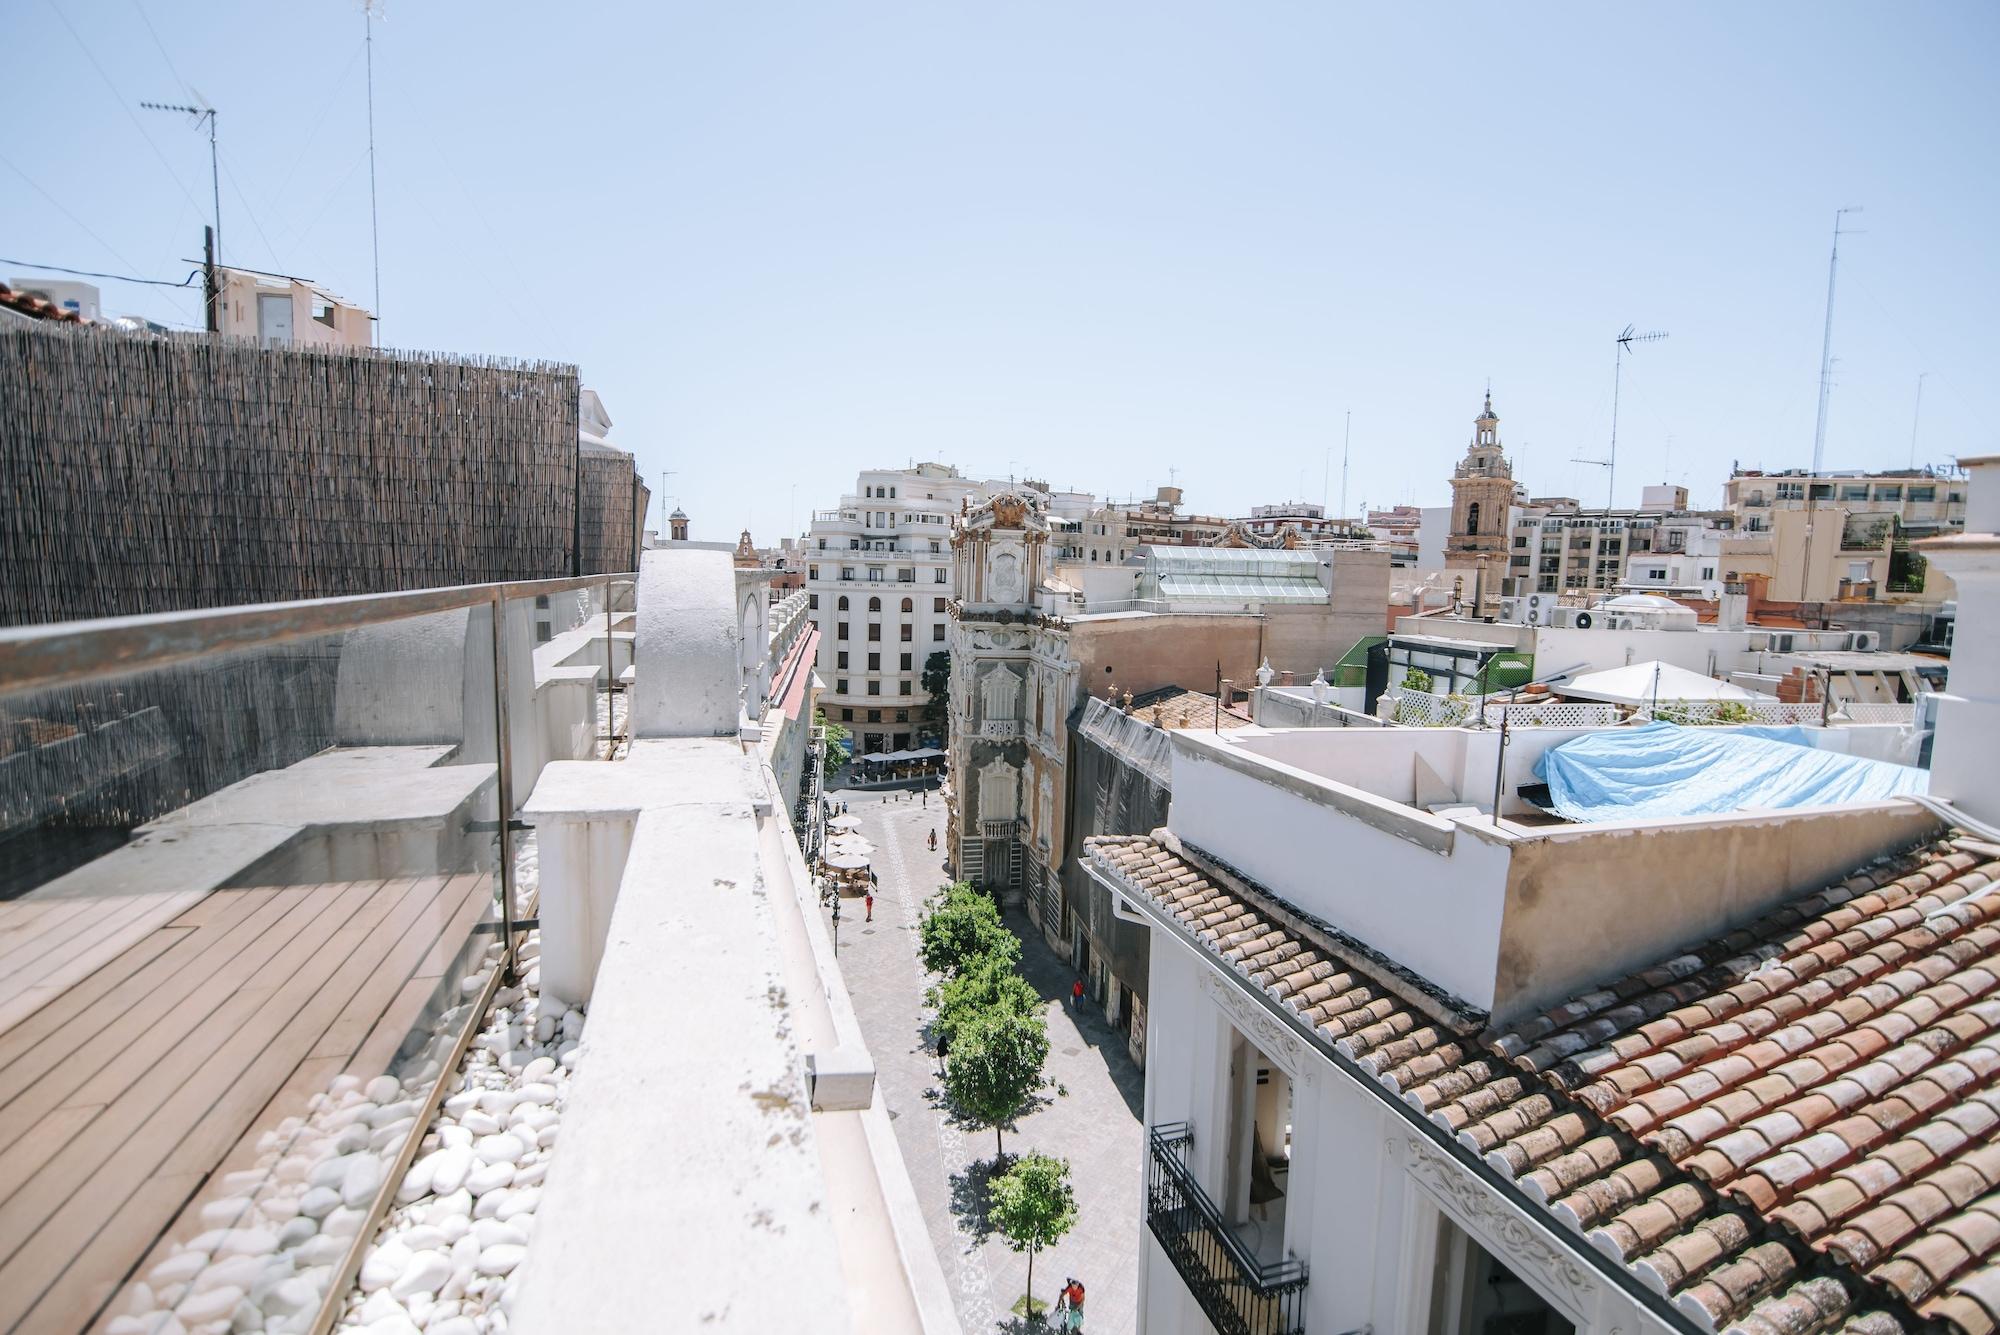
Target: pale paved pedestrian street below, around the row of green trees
pixel 1091 1114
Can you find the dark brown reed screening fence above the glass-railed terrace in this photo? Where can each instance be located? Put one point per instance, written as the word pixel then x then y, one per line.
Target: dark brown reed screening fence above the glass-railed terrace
pixel 165 473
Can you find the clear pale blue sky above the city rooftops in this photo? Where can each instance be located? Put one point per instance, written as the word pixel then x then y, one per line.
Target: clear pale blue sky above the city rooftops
pixel 1087 243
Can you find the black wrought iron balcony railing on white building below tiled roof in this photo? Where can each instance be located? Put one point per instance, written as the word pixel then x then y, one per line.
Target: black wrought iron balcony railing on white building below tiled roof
pixel 1237 1292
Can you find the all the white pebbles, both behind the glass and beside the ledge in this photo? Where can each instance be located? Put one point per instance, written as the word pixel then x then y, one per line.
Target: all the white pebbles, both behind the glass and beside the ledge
pixel 461 1220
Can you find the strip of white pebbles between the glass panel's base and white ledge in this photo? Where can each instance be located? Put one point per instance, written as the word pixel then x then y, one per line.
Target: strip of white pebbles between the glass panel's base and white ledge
pixel 465 1212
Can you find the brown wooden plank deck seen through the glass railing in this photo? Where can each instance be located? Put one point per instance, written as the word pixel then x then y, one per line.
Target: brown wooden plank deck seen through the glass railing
pixel 149 1040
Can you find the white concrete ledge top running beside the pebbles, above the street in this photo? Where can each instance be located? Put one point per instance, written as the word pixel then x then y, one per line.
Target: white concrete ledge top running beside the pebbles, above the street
pixel 689 1174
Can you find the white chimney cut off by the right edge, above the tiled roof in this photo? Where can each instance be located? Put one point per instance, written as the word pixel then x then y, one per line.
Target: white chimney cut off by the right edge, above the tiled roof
pixel 1969 714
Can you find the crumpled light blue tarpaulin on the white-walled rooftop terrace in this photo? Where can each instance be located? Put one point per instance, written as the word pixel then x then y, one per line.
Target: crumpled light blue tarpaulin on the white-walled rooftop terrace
pixel 1661 770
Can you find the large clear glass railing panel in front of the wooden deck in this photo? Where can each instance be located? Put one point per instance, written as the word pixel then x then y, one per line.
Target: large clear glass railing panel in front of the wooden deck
pixel 247 918
